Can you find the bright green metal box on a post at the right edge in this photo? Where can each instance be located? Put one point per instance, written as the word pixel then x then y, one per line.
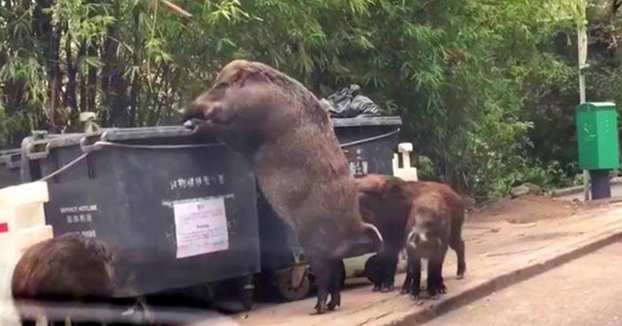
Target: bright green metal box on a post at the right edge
pixel 597 133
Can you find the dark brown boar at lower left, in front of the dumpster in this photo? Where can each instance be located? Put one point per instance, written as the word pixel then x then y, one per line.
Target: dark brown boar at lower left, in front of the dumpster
pixel 69 269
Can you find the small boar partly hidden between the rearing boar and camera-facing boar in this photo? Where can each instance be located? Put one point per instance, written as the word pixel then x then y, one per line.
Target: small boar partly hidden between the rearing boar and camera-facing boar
pixel 385 202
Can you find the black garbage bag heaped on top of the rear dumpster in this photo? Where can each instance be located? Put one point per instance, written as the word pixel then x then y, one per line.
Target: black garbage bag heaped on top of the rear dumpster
pixel 347 103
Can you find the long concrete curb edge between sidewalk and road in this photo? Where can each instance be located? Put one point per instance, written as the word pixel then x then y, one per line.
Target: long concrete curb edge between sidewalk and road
pixel 484 288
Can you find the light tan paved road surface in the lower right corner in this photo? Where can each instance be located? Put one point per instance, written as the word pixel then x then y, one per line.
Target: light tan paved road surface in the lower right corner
pixel 586 291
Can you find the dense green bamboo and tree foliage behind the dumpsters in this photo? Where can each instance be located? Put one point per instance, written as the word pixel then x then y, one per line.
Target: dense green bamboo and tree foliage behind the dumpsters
pixel 473 80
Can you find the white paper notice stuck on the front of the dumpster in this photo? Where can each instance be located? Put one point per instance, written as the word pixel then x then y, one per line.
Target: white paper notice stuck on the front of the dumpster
pixel 201 227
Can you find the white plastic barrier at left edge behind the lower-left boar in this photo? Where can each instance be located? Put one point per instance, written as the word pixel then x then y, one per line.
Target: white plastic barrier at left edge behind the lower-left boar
pixel 22 224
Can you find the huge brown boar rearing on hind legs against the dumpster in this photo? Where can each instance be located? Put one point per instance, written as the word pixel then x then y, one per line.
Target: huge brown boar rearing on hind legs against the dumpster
pixel 289 141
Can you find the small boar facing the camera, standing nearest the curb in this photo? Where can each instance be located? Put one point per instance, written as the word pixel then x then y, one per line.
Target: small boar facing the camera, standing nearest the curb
pixel 435 222
